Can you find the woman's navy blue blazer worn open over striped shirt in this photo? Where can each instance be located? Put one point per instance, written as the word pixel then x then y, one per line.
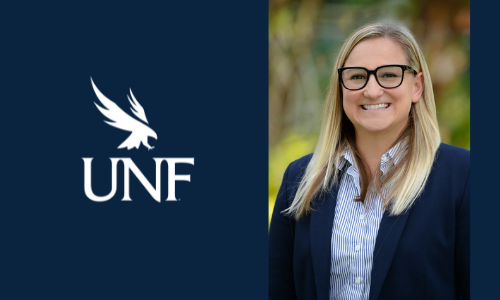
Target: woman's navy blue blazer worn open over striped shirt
pixel 422 254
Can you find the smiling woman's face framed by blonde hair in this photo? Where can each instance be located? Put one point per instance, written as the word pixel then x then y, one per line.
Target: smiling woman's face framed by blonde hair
pixel 392 119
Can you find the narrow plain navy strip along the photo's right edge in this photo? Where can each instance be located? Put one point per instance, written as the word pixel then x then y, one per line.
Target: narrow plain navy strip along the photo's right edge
pixel 485 202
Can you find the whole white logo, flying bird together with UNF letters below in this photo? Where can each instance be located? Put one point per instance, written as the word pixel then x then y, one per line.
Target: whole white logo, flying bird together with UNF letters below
pixel 139 135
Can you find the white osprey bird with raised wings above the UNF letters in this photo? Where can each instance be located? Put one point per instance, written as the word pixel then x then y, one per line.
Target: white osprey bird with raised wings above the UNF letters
pixel 123 121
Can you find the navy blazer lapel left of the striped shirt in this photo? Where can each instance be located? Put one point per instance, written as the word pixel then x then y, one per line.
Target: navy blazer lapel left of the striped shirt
pixel 321 236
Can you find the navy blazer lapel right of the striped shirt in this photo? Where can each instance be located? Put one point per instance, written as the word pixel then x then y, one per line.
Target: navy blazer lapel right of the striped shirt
pixel 388 236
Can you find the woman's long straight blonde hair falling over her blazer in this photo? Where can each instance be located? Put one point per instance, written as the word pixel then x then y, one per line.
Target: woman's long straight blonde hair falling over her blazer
pixel 421 138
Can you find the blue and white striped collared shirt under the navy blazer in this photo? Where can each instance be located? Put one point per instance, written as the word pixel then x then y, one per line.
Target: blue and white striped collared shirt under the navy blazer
pixel 354 233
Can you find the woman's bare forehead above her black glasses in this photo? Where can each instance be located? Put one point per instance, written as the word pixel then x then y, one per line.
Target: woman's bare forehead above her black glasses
pixel 376 52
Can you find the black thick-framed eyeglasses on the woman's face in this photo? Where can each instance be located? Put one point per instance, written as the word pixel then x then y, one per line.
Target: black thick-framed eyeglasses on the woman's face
pixel 389 76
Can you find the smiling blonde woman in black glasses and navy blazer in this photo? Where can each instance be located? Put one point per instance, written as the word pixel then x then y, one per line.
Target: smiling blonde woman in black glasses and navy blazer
pixel 381 209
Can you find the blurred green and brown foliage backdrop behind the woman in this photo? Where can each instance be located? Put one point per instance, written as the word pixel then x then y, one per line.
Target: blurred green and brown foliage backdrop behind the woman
pixel 304 37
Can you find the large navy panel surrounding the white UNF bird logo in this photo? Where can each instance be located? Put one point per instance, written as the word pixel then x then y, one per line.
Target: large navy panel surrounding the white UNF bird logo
pixel 199 69
